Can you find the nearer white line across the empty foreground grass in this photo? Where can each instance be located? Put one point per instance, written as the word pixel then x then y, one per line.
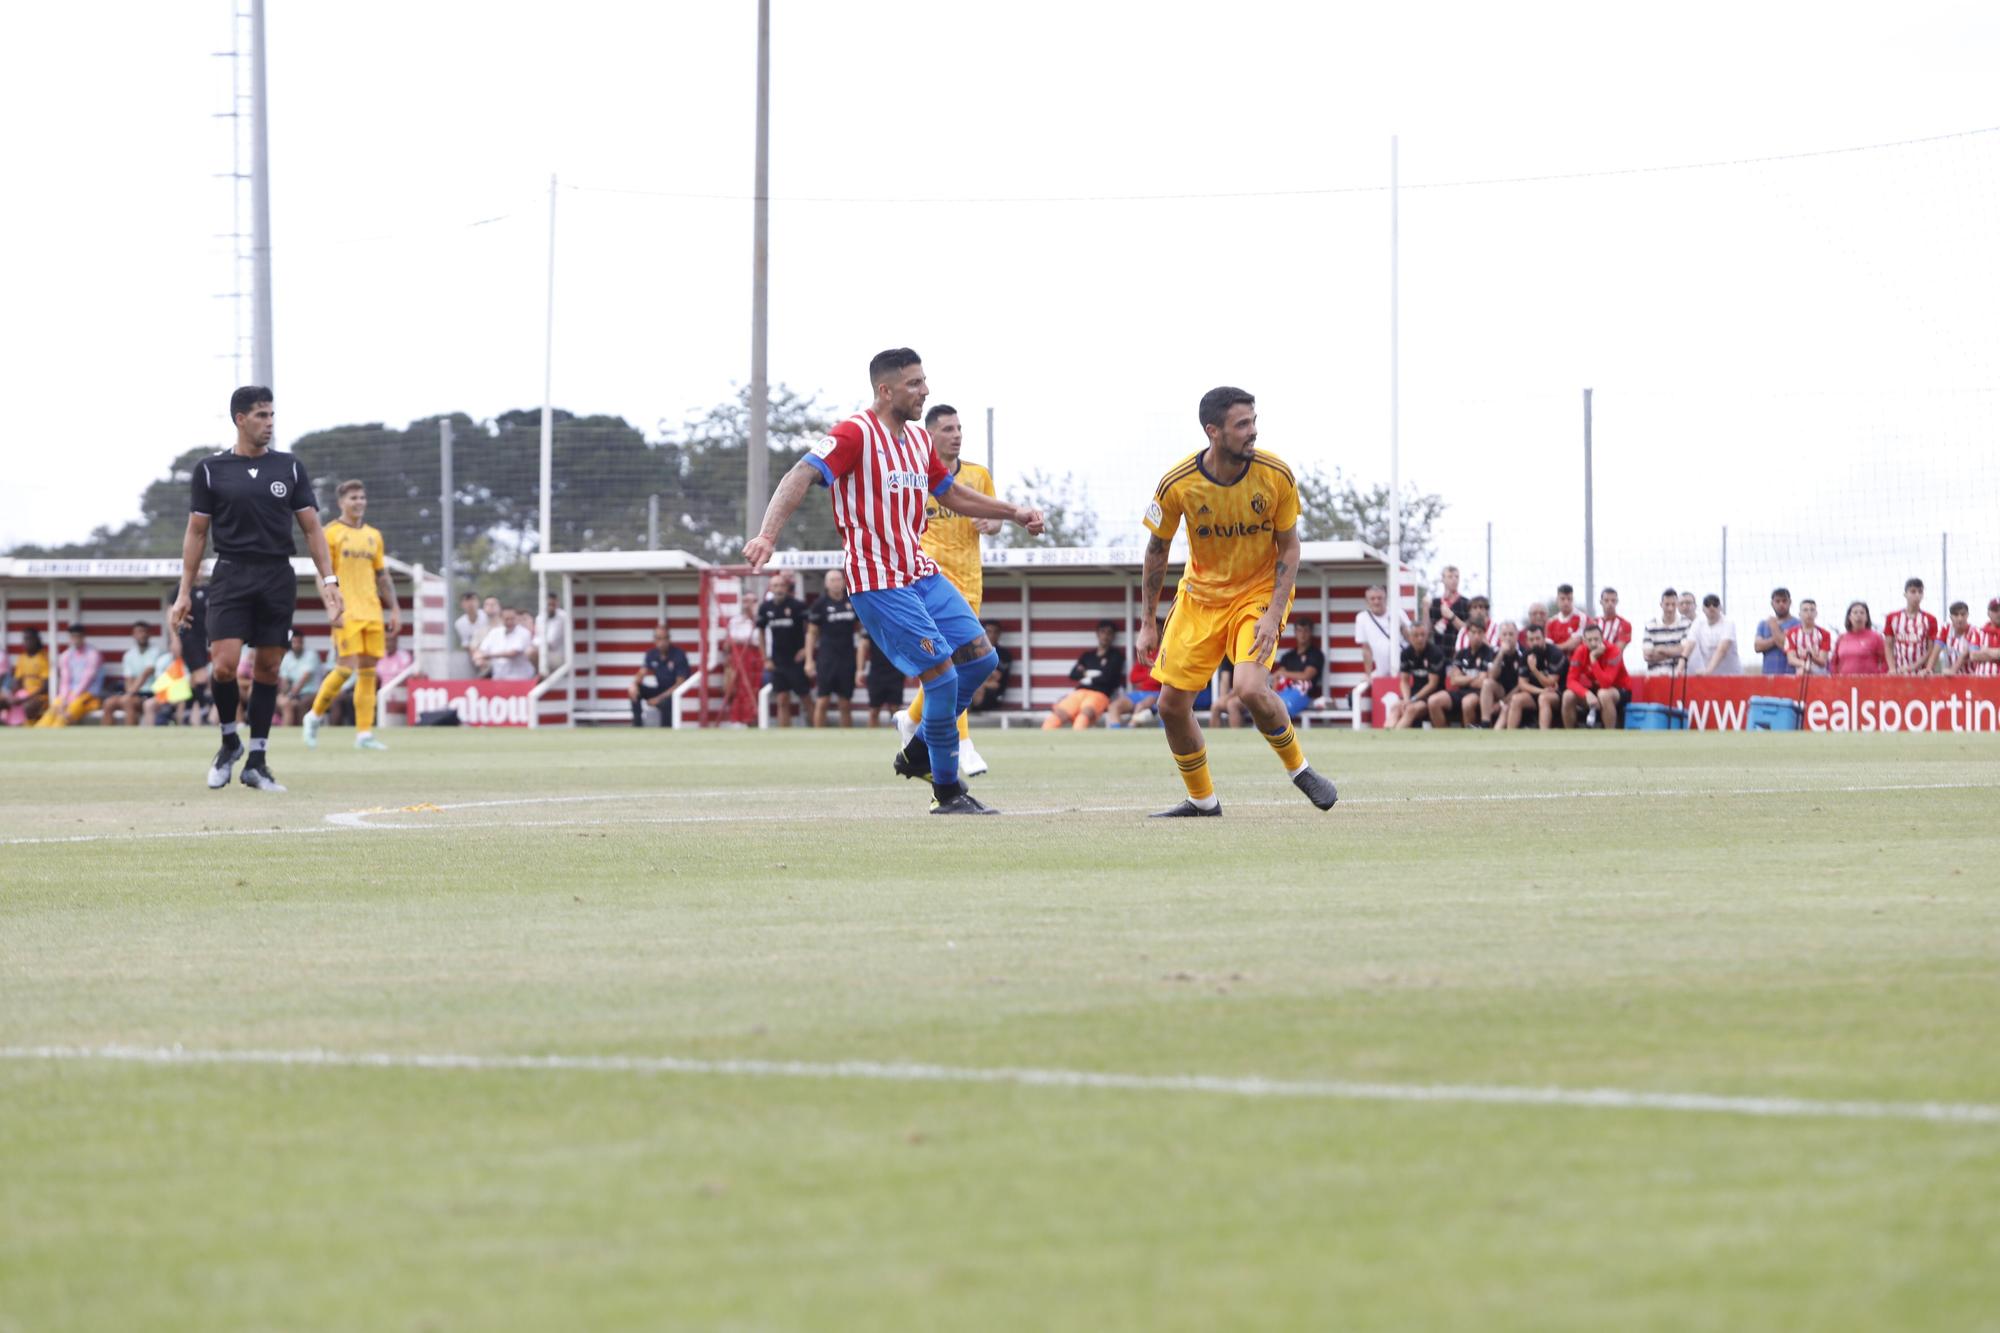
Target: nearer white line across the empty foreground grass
pixel 1315 1090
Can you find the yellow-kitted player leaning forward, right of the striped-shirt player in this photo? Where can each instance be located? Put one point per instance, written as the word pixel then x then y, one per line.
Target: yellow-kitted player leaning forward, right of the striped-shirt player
pixel 1241 507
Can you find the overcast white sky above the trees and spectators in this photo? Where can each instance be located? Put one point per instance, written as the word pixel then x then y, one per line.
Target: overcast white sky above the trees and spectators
pixel 1805 351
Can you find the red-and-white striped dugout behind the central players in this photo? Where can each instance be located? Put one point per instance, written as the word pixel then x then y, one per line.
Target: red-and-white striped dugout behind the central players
pixel 1045 599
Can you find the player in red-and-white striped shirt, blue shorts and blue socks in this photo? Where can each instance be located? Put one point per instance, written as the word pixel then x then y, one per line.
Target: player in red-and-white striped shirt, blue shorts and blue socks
pixel 881 465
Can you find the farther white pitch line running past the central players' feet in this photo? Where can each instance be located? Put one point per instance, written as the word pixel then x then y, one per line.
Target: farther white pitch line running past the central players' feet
pixel 347 822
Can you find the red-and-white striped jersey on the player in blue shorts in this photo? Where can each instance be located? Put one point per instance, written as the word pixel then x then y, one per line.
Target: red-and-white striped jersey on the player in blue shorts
pixel 879 489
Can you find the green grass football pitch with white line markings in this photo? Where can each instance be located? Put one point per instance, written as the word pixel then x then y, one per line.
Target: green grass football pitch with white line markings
pixel 645 1030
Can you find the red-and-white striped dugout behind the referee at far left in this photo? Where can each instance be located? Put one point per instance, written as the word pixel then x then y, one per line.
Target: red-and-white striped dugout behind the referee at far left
pixel 109 597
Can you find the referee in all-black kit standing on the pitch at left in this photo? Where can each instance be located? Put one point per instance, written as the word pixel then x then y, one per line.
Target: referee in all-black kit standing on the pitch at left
pixel 251 495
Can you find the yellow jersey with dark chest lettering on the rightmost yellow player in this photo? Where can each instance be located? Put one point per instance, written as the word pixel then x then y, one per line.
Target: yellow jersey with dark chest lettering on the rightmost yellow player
pixel 1233 547
